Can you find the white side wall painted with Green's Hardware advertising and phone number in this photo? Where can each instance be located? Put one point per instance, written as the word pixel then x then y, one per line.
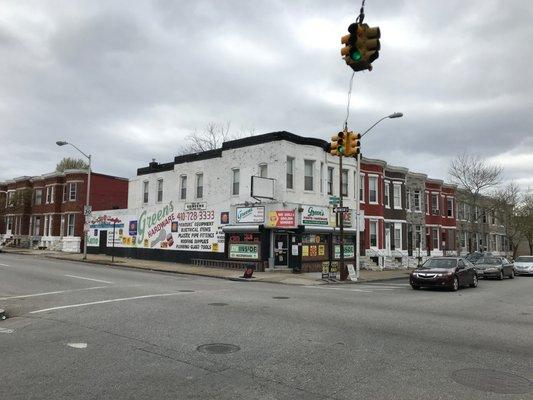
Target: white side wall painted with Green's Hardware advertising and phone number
pixel 162 227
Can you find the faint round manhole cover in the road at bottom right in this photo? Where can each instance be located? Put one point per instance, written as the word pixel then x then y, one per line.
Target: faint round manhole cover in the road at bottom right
pixel 489 380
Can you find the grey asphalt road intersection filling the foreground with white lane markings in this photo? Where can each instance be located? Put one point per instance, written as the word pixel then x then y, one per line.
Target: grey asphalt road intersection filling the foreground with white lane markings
pixel 82 331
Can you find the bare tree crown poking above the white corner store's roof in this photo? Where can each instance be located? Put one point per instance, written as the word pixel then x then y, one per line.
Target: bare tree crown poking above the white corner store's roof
pixel 212 137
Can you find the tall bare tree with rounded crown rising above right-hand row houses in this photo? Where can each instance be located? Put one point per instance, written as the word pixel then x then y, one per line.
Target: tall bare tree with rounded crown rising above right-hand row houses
pixel 475 177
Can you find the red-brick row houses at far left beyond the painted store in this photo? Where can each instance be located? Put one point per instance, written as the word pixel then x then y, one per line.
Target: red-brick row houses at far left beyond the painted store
pixel 47 211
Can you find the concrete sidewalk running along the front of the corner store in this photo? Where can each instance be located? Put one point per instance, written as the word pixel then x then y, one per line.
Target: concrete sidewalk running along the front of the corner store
pixel 306 279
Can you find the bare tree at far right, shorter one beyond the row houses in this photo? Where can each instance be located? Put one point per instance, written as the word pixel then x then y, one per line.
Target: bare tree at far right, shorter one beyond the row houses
pixel 507 202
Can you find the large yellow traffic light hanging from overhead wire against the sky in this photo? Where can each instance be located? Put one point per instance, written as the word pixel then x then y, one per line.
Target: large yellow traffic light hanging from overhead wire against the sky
pixel 361 46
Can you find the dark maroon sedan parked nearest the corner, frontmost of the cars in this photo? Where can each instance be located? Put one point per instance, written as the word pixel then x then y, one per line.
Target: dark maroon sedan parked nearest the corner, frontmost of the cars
pixel 447 272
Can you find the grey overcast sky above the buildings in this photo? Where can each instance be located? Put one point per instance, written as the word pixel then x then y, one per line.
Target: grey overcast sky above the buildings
pixel 127 81
